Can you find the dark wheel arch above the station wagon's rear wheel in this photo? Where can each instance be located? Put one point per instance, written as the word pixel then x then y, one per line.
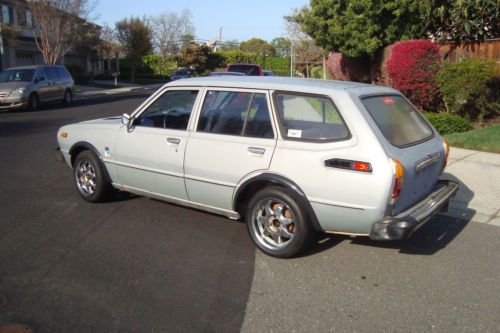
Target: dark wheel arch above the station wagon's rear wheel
pixel 250 186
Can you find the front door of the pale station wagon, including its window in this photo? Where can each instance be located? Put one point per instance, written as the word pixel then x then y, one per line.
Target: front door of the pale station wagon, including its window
pixel 149 154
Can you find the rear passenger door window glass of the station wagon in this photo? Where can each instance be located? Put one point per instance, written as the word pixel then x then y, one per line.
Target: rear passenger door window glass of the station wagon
pixel 235 113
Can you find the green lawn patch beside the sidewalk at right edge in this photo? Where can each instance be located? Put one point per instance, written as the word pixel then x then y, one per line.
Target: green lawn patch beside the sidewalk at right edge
pixel 484 139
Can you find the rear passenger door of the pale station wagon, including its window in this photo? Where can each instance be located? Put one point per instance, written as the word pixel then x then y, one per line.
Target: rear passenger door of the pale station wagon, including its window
pixel 234 136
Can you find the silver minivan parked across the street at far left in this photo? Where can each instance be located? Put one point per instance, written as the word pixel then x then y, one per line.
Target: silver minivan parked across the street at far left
pixel 30 86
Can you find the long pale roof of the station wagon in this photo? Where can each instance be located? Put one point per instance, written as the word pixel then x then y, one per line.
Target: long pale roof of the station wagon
pixel 281 83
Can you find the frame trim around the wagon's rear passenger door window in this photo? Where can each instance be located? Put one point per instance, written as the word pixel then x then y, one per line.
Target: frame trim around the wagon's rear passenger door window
pixel 270 106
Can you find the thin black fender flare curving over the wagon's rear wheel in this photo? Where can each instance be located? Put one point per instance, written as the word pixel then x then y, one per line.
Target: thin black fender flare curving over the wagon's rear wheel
pixel 281 181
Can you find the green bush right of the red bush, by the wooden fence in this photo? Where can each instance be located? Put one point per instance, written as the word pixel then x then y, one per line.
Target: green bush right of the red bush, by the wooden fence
pixel 469 87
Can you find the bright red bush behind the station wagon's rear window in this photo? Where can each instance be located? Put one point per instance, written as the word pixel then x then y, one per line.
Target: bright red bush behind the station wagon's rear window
pixel 412 69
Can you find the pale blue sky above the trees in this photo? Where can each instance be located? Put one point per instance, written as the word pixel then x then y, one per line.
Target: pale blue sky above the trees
pixel 240 20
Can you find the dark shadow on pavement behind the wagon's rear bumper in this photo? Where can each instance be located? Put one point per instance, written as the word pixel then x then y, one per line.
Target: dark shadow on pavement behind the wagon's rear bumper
pixel 439 231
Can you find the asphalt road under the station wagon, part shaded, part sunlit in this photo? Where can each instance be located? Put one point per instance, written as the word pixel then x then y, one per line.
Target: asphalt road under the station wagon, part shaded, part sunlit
pixel 140 265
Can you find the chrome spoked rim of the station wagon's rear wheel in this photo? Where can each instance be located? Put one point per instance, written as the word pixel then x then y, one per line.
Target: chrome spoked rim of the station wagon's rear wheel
pixel 273 223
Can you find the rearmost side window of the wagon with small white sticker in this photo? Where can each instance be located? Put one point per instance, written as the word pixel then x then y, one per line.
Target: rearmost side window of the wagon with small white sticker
pixel 310 117
